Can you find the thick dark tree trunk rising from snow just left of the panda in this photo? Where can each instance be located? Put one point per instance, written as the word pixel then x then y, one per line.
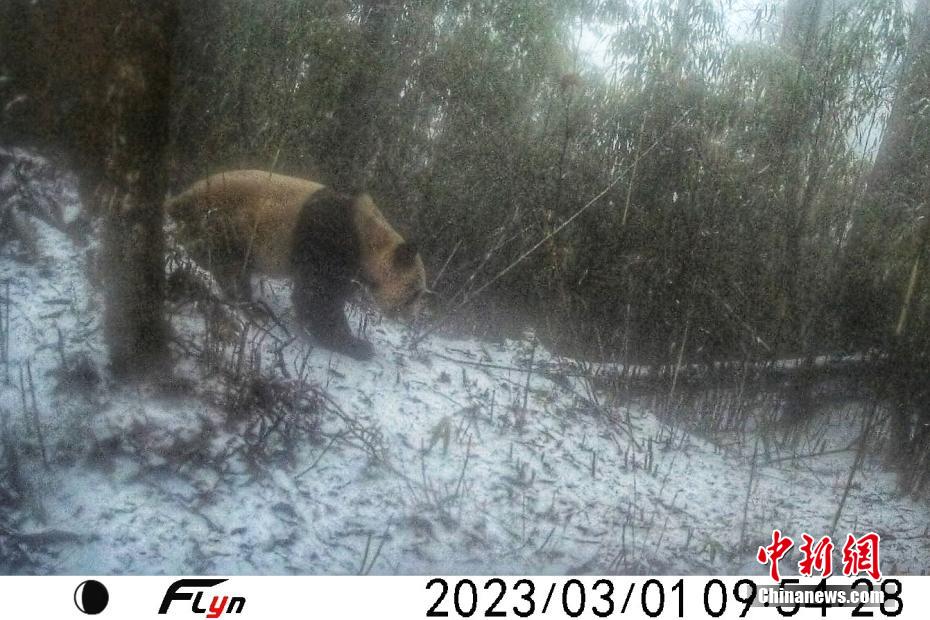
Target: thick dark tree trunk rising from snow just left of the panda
pixel 133 189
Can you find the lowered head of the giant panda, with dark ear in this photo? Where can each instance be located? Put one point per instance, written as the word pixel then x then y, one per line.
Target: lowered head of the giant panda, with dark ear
pixel 400 285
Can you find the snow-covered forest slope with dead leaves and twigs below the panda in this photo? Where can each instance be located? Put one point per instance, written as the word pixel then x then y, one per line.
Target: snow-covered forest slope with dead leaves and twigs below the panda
pixel 263 455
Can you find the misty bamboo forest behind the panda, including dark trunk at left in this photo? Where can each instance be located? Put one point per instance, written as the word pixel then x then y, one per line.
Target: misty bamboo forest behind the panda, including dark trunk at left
pixel 700 188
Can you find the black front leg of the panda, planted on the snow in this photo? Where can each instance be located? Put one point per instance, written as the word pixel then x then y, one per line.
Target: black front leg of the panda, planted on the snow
pixel 320 305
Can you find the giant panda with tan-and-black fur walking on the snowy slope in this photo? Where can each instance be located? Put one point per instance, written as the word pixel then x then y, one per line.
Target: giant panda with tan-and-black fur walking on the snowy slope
pixel 244 221
